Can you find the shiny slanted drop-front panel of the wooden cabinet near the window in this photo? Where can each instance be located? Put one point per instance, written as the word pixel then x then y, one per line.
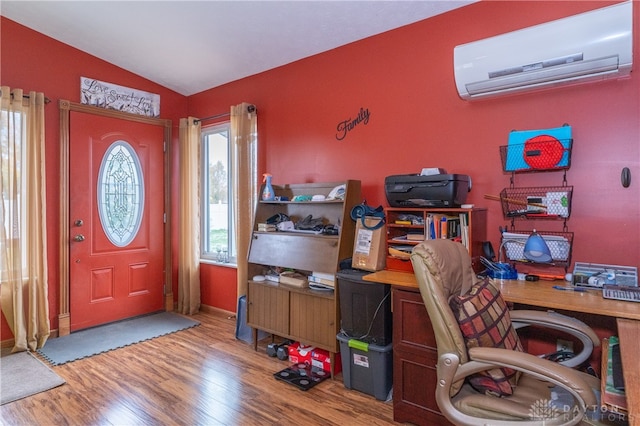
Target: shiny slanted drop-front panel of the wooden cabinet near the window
pixel 299 251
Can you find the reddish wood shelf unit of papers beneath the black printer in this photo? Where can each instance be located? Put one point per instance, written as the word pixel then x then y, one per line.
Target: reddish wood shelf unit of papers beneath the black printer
pixel 406 227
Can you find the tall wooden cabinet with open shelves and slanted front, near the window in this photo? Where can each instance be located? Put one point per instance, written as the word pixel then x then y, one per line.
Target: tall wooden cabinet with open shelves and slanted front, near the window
pixel 302 314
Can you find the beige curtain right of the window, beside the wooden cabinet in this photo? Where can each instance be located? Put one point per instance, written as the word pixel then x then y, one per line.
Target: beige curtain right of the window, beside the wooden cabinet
pixel 244 134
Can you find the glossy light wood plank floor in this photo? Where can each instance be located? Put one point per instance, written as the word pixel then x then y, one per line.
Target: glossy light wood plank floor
pixel 199 376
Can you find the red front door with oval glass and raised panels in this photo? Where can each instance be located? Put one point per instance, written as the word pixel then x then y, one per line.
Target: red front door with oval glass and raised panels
pixel 116 197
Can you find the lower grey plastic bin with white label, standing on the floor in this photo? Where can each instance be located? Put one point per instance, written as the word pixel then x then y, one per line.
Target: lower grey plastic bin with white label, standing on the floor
pixel 369 371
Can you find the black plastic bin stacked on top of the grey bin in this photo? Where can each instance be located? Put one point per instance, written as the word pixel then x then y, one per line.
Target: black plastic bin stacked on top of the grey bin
pixel 365 308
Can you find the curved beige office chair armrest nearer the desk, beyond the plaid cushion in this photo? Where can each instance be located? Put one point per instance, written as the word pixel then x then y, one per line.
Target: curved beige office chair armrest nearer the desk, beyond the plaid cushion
pixel 553 320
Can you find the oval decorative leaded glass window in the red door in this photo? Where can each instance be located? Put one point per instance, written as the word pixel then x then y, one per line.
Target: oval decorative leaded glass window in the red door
pixel 120 193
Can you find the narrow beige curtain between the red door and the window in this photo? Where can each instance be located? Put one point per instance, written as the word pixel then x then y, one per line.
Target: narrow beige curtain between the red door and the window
pixel 189 238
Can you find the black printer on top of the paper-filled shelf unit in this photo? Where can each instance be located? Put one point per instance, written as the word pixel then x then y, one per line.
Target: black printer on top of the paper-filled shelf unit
pixel 418 190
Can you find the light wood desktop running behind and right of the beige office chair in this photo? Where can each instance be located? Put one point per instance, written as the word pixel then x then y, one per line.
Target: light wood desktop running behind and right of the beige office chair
pixel 541 293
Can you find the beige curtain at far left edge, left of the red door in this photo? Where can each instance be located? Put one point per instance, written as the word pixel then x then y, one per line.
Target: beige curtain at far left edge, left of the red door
pixel 23 235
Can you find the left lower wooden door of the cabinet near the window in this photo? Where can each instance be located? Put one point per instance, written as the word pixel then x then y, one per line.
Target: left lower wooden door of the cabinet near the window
pixel 268 308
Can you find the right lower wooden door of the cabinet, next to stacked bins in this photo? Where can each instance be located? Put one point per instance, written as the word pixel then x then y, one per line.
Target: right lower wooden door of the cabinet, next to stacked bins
pixel 314 317
